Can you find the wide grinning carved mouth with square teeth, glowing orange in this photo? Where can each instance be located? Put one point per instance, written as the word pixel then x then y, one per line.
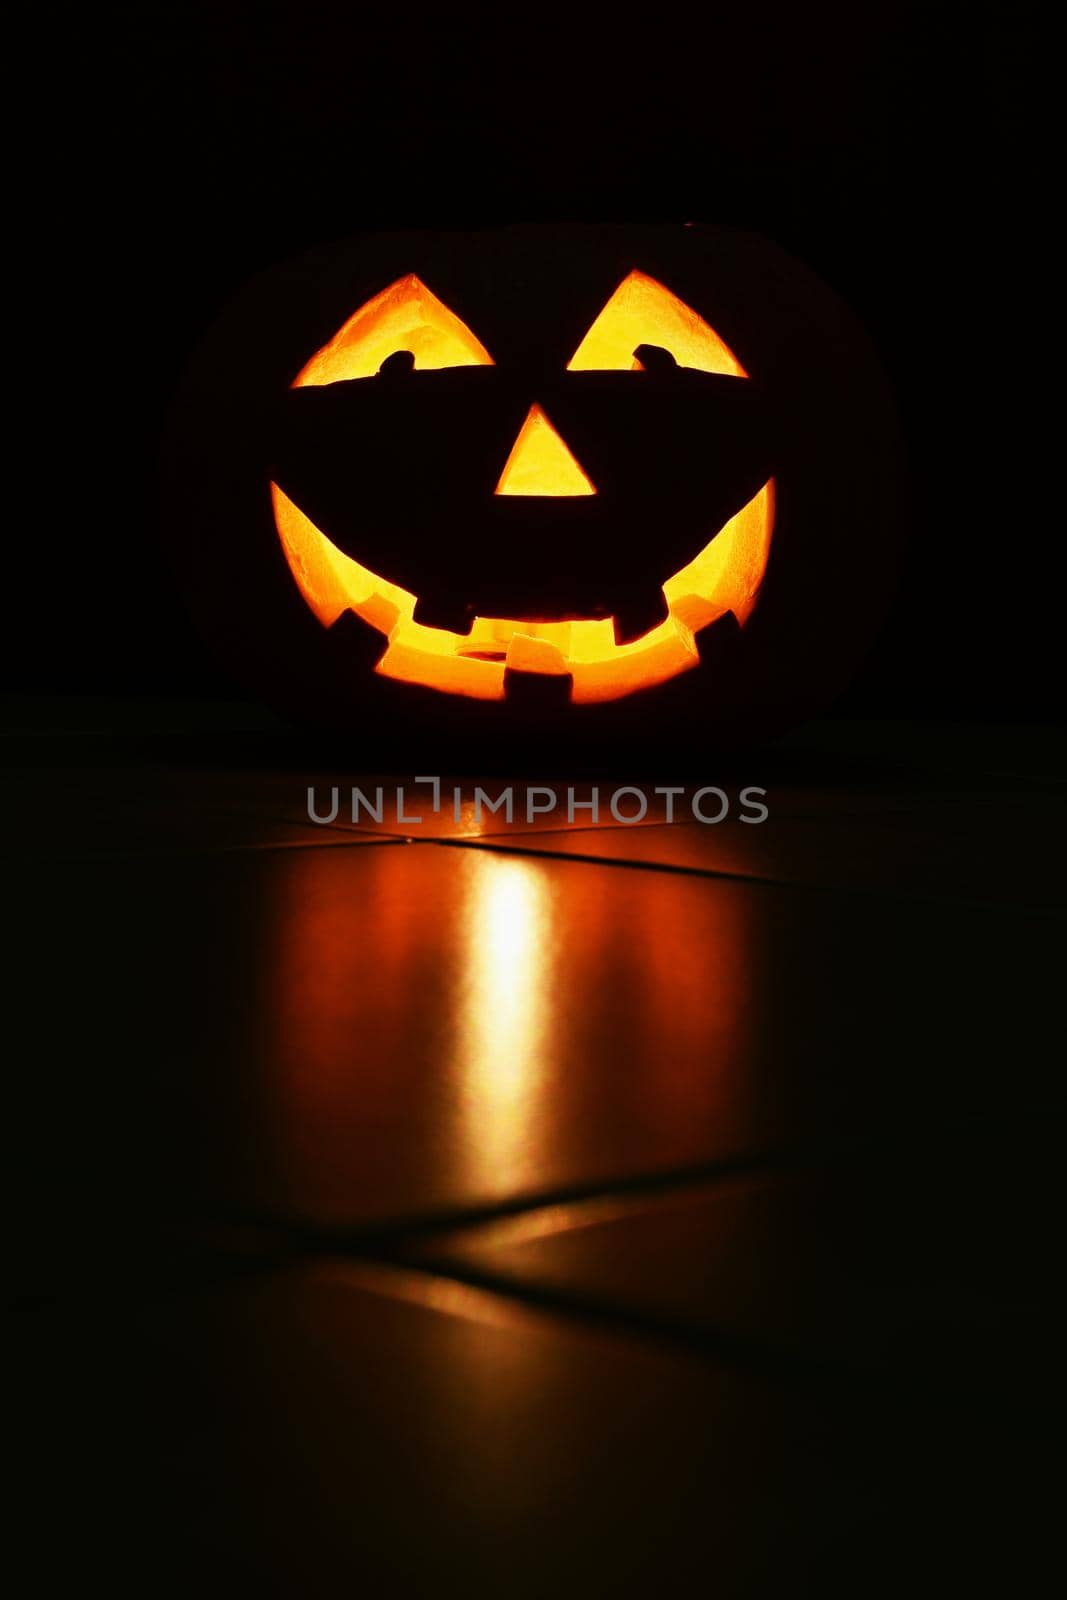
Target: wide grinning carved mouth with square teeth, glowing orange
pixel 605 658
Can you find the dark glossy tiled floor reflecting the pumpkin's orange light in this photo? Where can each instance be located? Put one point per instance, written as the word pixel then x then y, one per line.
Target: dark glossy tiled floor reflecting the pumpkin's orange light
pixel 652 1210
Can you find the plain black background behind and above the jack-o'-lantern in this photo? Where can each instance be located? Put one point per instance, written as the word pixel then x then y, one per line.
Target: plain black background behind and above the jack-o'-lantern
pixel 889 146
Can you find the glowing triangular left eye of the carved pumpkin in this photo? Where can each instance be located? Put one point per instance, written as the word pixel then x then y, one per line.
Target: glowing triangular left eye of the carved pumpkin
pixel 404 318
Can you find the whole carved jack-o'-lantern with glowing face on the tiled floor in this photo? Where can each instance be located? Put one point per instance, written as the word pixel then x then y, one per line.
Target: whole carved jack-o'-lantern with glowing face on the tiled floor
pixel 572 479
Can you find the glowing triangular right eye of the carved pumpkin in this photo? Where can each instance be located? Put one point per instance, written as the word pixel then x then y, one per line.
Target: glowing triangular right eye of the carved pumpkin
pixel 641 313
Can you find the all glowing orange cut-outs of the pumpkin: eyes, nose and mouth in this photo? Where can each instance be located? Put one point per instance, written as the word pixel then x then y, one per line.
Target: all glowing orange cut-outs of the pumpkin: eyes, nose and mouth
pixel 724 577
